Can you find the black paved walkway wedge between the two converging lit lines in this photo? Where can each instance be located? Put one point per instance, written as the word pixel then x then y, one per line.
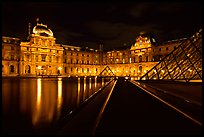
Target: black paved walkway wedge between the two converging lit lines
pixel 131 111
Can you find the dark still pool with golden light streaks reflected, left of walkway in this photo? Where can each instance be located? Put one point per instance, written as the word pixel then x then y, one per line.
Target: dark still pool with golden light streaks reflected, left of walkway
pixel 43 101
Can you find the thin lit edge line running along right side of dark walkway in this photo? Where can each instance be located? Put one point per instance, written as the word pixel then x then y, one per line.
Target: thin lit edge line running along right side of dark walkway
pixel 183 113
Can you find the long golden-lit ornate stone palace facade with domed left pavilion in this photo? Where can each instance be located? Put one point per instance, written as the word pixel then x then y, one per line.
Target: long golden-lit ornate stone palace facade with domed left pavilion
pixel 42 56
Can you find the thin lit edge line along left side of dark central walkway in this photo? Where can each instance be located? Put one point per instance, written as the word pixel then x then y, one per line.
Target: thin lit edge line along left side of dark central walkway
pixel 102 110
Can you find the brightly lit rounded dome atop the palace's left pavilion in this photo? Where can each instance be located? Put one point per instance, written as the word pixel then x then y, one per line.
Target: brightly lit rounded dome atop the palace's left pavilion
pixel 42 30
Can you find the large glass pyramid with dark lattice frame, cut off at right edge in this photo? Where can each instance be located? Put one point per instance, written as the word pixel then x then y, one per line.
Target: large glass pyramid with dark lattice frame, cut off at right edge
pixel 183 63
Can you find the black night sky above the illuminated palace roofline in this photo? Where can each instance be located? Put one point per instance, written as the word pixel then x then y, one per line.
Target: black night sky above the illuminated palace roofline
pixel 112 24
